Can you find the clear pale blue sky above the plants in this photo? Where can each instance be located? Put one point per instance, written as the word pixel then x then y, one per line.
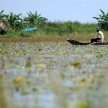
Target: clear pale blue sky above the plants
pixel 57 10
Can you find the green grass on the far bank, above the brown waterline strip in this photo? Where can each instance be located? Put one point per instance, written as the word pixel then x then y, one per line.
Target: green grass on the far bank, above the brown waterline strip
pixel 69 29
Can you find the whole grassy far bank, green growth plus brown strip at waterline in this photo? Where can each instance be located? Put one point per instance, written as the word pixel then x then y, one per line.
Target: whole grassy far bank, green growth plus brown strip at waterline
pixel 55 31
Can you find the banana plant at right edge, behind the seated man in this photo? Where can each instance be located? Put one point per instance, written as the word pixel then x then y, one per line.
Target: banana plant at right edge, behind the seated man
pixel 102 20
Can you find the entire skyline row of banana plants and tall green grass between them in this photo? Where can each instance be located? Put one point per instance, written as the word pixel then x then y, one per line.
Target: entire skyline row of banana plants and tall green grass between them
pixel 17 23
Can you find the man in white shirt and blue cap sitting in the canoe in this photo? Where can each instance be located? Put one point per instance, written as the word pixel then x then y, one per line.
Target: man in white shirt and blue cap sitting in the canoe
pixel 100 37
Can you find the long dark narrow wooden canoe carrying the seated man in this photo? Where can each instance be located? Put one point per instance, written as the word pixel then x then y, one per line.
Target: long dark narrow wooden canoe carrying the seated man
pixel 75 42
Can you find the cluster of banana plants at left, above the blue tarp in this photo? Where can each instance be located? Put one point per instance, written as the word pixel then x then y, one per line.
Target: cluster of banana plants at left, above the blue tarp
pixel 16 22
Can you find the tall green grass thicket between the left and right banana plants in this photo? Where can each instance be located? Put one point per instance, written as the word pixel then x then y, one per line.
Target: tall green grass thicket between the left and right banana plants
pixel 66 28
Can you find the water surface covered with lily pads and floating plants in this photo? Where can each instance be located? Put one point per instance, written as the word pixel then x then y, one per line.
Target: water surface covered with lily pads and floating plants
pixel 54 75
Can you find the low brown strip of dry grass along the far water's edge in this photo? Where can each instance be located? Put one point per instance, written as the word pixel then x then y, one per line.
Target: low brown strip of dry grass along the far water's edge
pixel 47 38
